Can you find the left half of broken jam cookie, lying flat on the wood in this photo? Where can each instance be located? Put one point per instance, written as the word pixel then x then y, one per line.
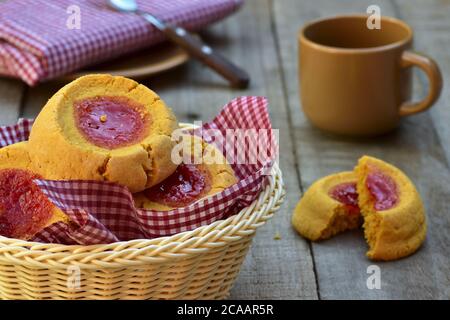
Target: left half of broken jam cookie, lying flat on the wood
pixel 328 207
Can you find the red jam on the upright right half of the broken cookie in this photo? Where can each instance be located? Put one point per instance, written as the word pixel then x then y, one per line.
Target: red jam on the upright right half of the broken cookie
pixel 383 189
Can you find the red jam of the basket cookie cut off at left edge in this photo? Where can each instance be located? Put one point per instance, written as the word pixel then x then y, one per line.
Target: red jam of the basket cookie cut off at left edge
pixel 24 209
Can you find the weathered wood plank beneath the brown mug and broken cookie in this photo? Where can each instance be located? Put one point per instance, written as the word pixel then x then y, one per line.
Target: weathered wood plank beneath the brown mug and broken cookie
pixel 340 263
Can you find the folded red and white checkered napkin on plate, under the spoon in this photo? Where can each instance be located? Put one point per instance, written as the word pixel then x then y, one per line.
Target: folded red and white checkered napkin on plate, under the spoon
pixel 39 39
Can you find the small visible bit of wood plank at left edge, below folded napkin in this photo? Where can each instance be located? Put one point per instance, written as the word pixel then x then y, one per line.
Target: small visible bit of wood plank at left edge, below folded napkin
pixel 11 92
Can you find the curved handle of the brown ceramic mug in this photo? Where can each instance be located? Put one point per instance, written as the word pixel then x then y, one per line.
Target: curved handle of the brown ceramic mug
pixel 410 59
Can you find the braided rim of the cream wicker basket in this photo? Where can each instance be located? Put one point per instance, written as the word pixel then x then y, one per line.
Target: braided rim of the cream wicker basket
pixel 138 251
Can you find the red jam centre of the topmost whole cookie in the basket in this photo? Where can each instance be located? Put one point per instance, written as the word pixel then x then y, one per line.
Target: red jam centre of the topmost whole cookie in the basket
pixel 110 122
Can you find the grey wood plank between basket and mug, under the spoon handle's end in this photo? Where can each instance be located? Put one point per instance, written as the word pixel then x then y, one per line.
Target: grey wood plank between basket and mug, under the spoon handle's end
pixel 273 269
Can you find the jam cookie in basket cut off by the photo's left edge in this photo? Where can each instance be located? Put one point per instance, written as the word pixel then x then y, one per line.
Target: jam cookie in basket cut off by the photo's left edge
pixel 24 209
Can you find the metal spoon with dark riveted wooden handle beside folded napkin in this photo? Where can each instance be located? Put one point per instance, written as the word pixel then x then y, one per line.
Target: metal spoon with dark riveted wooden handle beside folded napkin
pixel 234 74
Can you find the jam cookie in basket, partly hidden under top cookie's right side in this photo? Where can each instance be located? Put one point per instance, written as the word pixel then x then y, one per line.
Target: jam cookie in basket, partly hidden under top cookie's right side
pixel 189 182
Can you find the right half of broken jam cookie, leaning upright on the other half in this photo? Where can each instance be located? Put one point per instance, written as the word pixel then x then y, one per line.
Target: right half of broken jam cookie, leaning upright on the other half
pixel 394 215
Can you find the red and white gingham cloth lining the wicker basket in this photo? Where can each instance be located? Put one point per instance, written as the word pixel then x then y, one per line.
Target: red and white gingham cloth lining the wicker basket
pixel 103 212
